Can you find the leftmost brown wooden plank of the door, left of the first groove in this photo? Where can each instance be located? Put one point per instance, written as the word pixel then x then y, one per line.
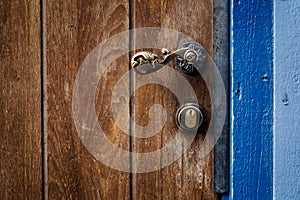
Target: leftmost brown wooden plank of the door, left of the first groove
pixel 20 100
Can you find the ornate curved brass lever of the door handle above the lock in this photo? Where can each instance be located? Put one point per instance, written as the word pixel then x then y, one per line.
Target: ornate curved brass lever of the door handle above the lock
pixel 146 62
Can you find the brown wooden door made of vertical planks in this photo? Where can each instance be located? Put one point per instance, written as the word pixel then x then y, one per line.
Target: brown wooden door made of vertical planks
pixel 59 36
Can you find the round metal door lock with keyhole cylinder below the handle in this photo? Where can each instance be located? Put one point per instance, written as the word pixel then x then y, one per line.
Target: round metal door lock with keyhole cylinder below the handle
pixel 189 117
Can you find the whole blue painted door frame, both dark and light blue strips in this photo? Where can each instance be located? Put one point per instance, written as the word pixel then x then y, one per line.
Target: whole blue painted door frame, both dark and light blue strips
pixel 264 99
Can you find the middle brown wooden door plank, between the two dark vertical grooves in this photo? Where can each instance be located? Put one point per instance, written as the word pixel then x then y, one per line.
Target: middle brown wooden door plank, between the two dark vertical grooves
pixel 73 29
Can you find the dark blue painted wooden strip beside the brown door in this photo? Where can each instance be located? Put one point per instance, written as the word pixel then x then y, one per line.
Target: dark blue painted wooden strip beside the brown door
pixel 251 99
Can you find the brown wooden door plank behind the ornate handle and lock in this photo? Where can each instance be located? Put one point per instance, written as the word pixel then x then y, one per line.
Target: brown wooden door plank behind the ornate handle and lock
pixel 190 176
